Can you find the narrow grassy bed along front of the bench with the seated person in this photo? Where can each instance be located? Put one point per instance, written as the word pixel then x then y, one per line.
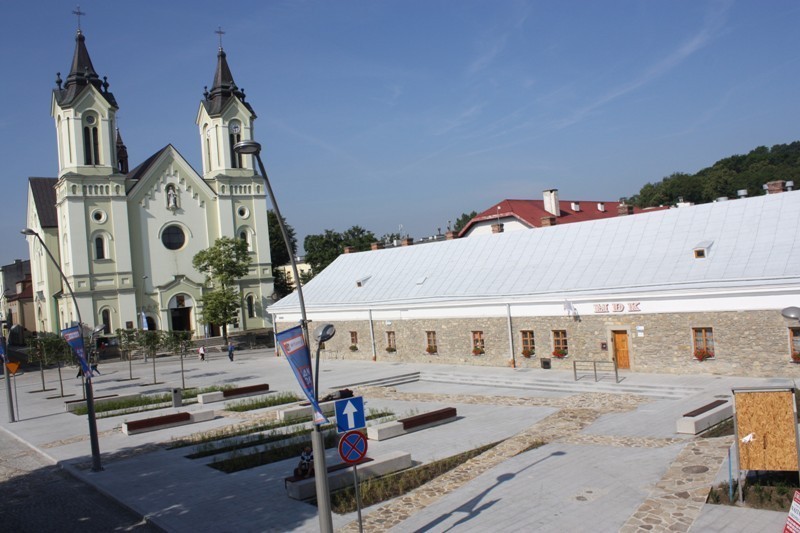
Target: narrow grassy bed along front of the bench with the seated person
pixel 378 490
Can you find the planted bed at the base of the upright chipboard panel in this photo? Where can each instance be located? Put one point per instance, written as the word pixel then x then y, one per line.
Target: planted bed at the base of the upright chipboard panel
pixel 772 491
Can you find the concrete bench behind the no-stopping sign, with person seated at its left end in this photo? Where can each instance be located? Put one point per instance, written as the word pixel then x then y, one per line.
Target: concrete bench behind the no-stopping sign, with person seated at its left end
pixel 341 476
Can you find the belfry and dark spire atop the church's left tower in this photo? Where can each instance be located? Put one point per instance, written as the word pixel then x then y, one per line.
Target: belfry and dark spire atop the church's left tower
pixel 85 116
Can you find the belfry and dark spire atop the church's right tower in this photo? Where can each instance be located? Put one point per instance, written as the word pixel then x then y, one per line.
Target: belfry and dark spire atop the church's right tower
pixel 224 118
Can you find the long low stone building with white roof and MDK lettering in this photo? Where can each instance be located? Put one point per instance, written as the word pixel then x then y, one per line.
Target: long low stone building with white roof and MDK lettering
pixel 651 292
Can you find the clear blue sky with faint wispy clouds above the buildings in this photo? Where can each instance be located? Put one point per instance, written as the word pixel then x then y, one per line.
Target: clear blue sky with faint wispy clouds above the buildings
pixel 400 115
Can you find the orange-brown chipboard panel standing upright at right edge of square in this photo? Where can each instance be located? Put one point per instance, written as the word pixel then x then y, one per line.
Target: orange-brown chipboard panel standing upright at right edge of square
pixel 769 417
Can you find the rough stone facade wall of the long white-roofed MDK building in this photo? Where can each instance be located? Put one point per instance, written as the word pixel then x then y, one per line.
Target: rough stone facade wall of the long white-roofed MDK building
pixel 746 342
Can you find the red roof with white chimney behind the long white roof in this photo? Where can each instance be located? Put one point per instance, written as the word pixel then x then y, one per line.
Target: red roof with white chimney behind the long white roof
pixel 530 212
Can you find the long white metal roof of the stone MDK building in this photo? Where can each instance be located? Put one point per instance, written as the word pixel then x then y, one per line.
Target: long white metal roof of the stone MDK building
pixel 755 240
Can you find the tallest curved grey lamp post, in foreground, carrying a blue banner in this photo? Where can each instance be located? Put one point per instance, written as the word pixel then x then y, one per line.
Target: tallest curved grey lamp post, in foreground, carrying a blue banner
pixel 317 443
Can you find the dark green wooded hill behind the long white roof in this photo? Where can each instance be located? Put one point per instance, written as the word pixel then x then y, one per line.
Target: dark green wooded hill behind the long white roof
pixel 726 177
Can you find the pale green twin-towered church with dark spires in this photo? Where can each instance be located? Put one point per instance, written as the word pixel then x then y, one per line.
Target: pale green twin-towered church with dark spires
pixel 124 238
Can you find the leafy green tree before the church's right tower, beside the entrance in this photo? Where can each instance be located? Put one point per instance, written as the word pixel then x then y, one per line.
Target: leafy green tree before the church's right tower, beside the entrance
pixel 223 264
